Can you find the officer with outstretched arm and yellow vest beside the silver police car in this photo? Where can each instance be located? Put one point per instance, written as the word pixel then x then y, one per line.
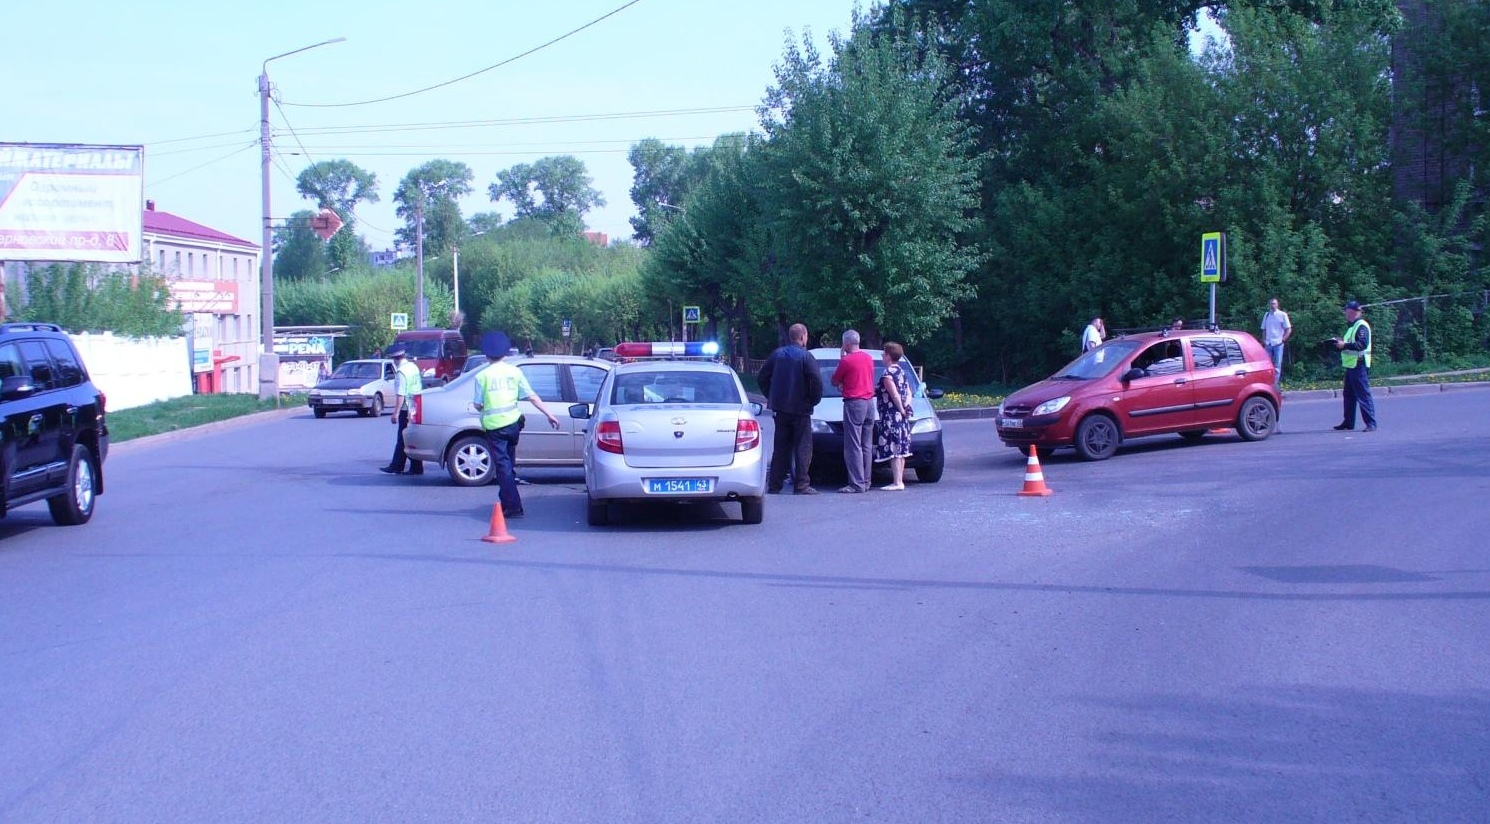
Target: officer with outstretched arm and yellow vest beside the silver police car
pixel 498 390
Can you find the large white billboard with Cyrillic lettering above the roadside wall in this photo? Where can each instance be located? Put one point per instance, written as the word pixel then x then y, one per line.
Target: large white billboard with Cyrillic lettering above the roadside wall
pixel 71 203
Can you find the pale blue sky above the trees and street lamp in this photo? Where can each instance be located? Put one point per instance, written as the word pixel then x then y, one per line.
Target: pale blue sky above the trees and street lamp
pixel 181 80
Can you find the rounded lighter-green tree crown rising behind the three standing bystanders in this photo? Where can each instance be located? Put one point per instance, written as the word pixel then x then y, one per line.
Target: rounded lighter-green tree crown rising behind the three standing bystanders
pixel 872 178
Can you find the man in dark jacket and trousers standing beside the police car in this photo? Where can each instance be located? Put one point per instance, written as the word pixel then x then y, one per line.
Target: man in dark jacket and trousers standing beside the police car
pixel 793 387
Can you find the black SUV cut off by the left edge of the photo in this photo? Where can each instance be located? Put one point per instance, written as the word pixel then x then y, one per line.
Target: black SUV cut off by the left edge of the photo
pixel 54 436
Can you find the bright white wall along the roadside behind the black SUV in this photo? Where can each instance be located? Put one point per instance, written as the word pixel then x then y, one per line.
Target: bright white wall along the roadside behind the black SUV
pixel 136 372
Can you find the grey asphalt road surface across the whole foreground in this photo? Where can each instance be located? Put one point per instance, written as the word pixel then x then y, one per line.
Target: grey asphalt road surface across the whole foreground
pixel 260 627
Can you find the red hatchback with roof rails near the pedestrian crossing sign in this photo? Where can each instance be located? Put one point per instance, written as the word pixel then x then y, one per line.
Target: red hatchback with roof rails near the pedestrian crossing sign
pixel 1170 382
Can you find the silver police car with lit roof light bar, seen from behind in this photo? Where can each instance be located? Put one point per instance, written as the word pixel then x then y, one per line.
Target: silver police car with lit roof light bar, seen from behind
pixel 673 425
